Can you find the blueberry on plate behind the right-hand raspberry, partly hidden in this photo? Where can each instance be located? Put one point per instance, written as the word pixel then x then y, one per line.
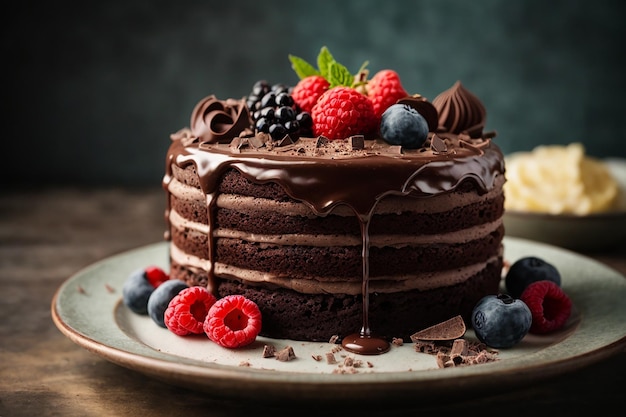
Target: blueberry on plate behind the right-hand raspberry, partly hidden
pixel 527 270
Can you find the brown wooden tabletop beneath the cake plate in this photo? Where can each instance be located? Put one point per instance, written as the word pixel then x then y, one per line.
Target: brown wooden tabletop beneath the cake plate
pixel 48 235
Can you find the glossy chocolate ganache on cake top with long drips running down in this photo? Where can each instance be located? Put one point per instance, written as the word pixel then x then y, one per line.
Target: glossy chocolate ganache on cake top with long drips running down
pixel 326 173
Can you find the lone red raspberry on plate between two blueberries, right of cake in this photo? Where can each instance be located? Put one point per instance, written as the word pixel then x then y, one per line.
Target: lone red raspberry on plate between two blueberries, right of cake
pixel 549 306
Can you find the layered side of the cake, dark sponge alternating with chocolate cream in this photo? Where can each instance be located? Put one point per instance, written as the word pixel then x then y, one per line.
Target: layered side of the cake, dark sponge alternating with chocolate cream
pixel 429 255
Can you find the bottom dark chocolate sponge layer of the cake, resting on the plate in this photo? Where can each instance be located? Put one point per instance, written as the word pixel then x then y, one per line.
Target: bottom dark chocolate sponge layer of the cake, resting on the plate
pixel 294 315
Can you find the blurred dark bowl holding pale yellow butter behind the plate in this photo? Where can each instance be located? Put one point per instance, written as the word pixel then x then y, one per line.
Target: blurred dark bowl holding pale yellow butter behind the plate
pixel 581 233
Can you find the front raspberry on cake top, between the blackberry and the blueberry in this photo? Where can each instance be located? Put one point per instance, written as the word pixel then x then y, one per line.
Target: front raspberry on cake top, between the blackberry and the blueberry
pixel 342 112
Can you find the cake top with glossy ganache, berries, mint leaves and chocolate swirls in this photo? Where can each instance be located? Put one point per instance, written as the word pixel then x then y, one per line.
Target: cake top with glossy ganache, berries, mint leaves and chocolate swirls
pixel 335 138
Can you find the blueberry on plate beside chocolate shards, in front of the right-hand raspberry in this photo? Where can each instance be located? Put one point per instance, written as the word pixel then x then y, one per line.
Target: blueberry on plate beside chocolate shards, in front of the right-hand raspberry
pixel 500 321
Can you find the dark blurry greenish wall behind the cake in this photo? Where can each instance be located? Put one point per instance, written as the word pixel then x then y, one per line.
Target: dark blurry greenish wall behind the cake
pixel 92 90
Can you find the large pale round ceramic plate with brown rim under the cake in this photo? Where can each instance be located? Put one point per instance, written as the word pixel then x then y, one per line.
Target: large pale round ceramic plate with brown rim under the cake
pixel 87 308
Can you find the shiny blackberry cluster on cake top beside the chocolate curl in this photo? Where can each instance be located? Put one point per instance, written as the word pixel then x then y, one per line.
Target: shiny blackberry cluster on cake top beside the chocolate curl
pixel 275 112
